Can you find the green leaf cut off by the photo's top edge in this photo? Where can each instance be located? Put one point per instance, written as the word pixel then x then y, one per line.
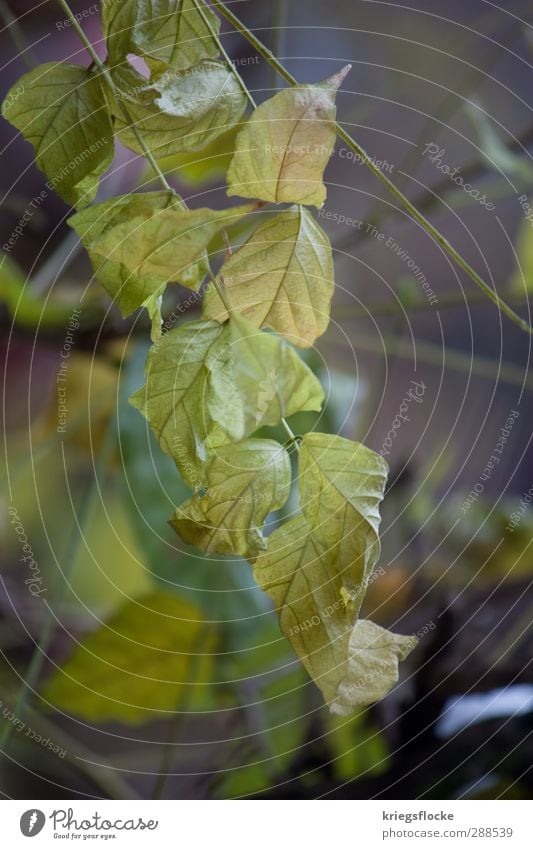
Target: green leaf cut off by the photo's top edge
pixel 168 33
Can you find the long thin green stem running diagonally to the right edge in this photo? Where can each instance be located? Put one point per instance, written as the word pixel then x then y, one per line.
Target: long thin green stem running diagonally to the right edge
pixel 391 187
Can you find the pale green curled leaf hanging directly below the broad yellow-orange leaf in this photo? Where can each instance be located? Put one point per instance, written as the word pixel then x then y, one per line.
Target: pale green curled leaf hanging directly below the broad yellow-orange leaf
pixel 257 380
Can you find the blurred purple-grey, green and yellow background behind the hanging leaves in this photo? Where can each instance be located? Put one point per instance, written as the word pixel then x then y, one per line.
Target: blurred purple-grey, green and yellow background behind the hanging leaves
pixel 133 666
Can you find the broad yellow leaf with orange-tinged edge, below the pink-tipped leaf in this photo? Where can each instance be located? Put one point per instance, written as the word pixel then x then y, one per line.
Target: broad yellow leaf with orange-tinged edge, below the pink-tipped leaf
pixel 281 278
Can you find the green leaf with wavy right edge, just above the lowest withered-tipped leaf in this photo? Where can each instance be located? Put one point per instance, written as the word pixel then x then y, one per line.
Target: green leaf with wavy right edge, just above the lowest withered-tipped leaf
pixel 341 486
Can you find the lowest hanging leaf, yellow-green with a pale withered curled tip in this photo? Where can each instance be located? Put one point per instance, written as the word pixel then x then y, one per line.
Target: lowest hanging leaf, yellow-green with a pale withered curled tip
pixel 313 593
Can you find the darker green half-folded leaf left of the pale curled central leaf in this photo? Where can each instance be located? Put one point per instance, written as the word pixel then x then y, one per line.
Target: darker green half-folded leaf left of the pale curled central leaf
pixel 175 398
